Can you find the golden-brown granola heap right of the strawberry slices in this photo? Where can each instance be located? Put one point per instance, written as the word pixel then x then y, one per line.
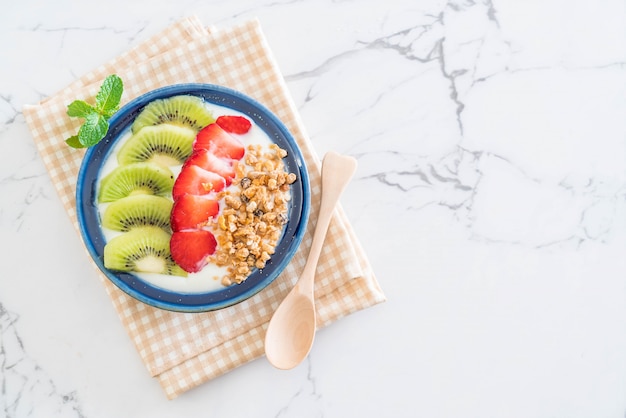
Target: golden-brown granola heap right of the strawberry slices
pixel 255 211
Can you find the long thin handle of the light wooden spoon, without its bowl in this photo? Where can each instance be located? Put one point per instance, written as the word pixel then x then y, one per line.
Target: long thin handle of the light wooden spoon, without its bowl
pixel 337 170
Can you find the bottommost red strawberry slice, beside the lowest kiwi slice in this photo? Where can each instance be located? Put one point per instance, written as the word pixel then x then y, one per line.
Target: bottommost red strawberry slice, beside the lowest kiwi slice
pixel 190 249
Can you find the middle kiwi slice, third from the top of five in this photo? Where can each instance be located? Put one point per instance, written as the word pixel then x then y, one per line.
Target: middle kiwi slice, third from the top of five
pixel 136 178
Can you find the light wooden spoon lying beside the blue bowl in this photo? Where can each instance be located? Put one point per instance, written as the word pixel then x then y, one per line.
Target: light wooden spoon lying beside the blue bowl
pixel 291 330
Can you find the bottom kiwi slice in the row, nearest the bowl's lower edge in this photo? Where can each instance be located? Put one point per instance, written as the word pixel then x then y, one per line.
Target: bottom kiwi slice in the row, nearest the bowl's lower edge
pixel 144 249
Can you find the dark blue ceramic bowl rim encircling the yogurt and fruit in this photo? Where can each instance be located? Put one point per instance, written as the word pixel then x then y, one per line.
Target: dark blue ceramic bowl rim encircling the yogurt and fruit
pixel 89 218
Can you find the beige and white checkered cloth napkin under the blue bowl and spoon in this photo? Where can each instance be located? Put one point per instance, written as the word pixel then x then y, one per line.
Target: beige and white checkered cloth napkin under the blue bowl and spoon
pixel 183 350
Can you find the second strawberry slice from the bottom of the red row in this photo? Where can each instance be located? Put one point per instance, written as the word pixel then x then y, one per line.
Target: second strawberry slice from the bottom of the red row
pixel 192 212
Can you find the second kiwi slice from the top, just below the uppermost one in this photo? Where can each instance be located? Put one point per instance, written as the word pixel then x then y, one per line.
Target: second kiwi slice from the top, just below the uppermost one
pixel 164 144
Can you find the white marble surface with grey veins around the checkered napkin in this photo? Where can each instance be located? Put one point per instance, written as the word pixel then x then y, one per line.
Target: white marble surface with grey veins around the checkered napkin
pixel 490 197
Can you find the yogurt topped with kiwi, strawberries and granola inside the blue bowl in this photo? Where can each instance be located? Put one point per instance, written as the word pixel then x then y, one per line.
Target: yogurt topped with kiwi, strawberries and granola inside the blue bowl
pixel 193 198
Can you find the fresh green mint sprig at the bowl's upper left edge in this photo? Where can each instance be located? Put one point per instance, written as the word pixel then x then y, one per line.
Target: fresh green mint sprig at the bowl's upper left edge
pixel 96 124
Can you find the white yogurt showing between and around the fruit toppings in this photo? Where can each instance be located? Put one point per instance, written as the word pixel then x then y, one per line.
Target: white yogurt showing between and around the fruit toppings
pixel 209 278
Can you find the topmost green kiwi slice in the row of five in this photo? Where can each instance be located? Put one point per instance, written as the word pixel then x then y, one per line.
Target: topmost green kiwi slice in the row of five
pixel 183 110
